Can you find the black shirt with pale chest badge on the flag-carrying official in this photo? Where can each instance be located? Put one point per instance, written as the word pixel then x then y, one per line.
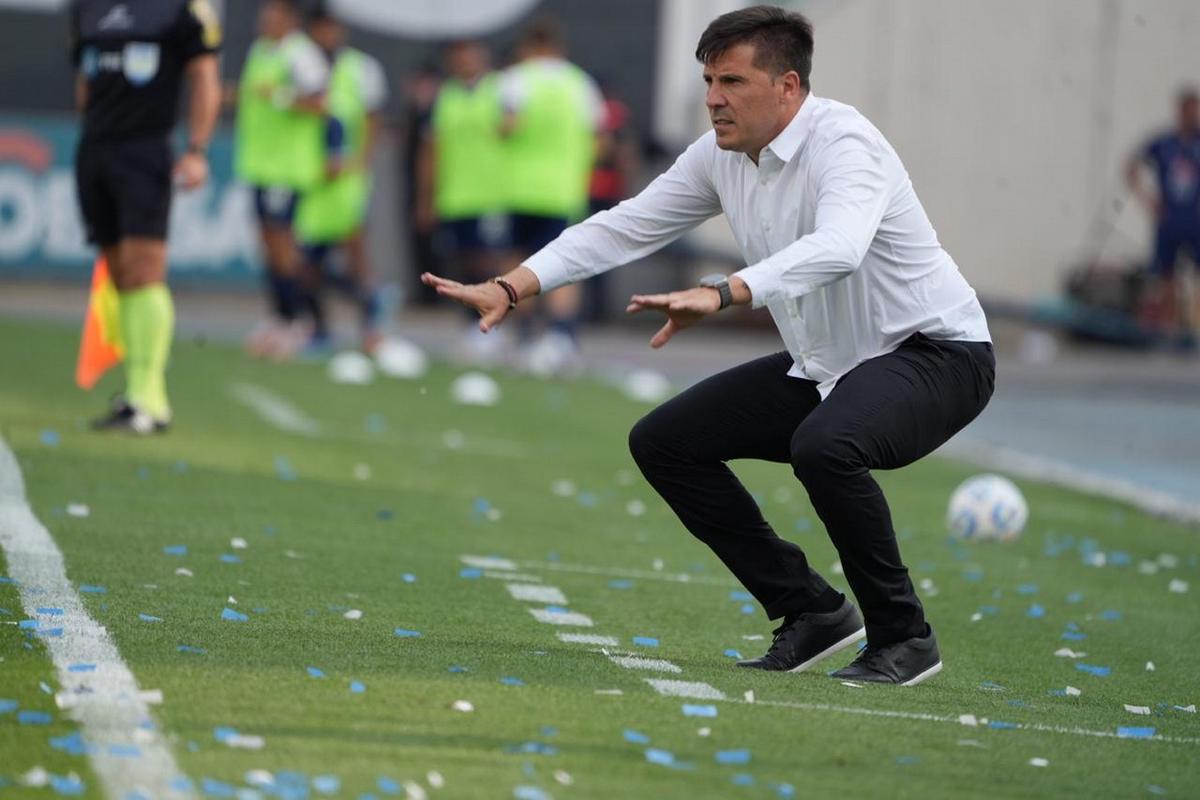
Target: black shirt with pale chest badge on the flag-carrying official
pixel 133 55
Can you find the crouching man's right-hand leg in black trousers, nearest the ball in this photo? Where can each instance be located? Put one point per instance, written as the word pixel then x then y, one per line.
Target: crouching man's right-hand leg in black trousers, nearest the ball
pixel 885 414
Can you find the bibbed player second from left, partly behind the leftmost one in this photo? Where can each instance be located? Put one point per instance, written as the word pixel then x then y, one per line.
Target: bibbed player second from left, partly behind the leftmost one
pixel 334 213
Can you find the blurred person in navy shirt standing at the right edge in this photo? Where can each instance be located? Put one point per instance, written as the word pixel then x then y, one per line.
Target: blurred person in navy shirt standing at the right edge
pixel 1175 208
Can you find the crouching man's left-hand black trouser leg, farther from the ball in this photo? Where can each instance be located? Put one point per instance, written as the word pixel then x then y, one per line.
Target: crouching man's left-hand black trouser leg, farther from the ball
pixel 682 448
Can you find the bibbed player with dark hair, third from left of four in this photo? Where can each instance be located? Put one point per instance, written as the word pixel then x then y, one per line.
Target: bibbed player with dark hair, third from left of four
pixel 461 176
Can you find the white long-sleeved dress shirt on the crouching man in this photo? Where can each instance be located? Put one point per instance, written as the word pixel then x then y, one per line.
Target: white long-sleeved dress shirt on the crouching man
pixel 839 249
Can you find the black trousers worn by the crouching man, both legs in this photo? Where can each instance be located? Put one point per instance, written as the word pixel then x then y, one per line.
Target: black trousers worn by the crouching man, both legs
pixel 884 414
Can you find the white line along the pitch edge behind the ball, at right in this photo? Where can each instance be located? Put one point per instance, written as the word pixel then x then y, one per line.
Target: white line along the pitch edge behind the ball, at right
pixel 1040 468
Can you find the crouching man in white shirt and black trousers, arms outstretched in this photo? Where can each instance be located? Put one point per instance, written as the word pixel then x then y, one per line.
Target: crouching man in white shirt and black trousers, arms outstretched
pixel 889 352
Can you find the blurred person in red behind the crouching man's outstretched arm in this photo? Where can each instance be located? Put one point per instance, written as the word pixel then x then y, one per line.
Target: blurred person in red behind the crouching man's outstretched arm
pixel 613 178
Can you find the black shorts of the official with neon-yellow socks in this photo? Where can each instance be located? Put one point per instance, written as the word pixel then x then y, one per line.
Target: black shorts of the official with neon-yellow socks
pixel 124 189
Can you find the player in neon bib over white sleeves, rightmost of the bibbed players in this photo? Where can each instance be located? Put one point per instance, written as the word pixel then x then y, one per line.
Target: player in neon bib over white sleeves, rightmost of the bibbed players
pixel 553 113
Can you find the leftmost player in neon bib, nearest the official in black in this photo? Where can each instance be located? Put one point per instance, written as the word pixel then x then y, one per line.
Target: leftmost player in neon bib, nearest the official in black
pixel 281 153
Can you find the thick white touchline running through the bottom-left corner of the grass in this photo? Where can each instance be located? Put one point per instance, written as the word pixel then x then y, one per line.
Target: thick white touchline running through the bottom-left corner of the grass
pixel 111 711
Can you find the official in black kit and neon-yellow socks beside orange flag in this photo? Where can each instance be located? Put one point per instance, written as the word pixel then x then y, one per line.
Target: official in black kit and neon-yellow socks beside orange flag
pixel 133 58
